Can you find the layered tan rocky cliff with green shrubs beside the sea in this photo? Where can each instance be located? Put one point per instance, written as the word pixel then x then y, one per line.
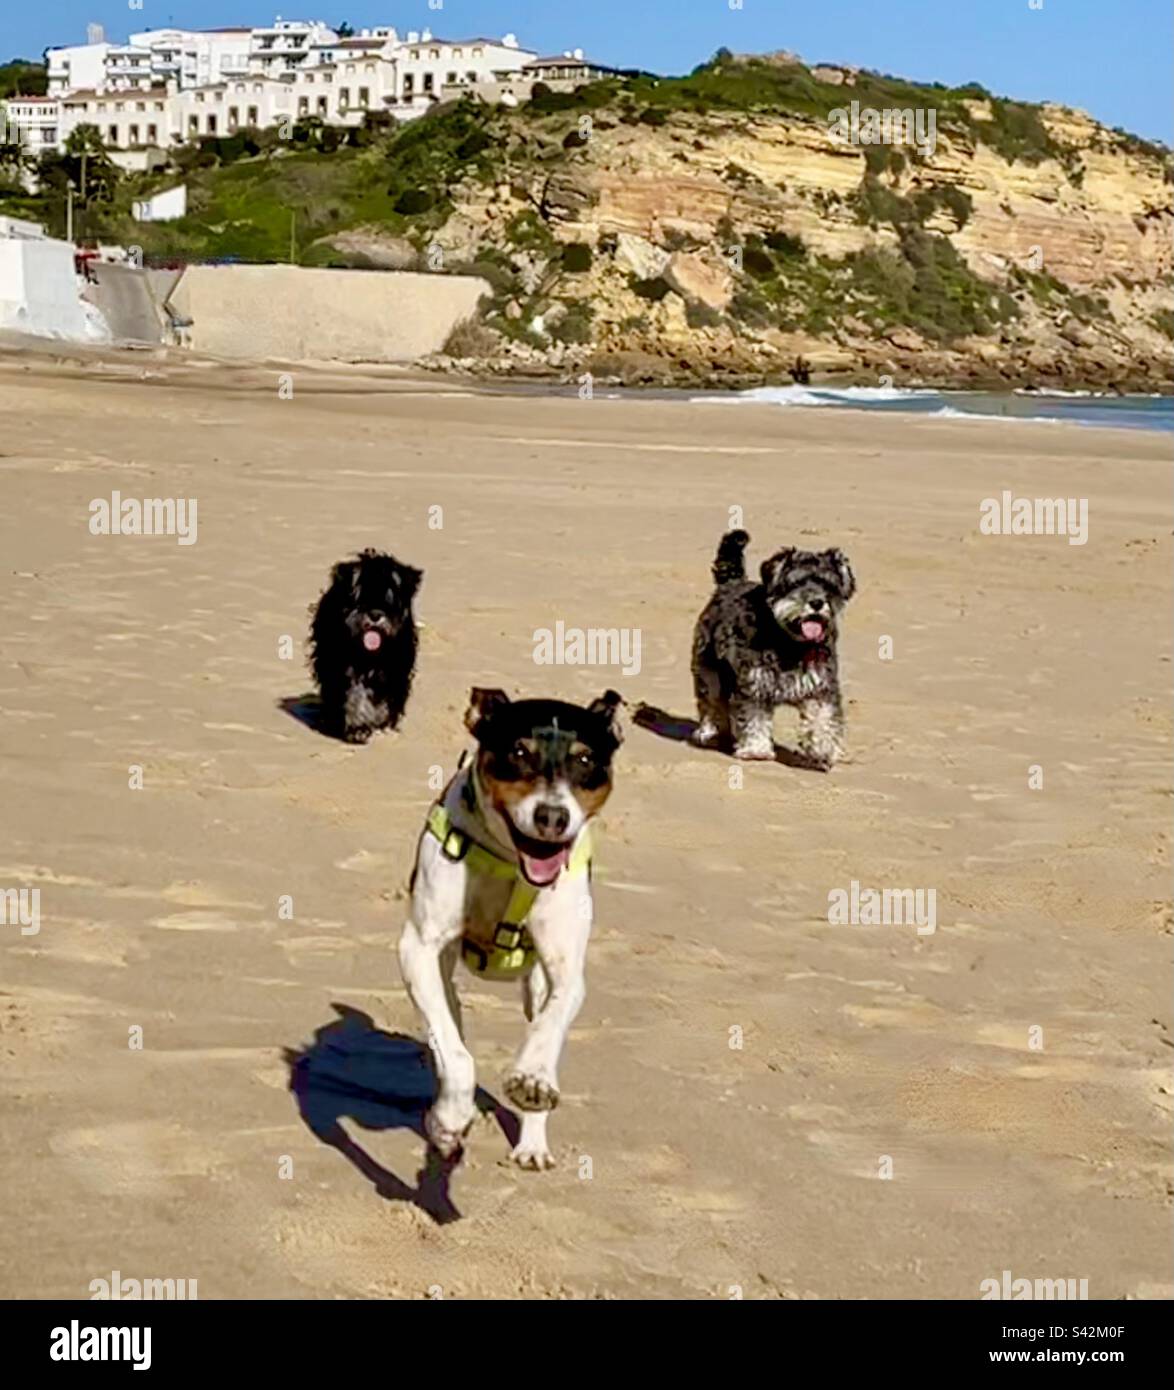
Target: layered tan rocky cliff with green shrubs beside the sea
pixel 722 229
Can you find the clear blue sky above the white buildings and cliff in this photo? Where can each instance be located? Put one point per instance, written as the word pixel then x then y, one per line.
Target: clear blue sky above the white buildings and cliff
pixel 1111 58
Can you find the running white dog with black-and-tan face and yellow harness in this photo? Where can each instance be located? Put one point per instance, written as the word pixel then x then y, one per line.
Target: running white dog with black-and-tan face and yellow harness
pixel 502 881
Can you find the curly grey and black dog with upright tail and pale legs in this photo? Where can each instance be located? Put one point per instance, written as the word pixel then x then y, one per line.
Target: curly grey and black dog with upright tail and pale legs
pixel 762 646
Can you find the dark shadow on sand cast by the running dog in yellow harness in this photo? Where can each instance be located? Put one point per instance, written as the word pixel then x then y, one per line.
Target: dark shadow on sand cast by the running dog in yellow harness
pixel 380 1081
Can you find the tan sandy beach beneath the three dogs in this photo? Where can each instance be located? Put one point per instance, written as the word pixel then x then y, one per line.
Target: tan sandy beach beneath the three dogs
pixel 907 1115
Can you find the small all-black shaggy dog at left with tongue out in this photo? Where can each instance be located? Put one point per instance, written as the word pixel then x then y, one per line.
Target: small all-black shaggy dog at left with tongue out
pixel 363 646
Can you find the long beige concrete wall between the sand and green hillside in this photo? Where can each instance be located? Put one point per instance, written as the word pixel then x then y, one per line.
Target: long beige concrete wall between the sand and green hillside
pixel 294 315
